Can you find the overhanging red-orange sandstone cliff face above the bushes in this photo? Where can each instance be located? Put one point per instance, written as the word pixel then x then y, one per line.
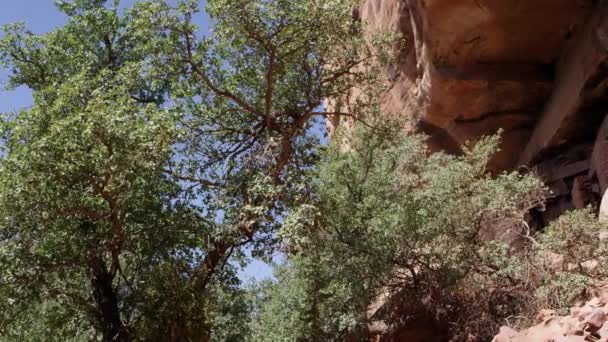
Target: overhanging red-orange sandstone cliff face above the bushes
pixel 468 68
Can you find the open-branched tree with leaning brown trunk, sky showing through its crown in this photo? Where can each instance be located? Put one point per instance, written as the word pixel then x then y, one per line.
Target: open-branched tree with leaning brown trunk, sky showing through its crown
pixel 252 96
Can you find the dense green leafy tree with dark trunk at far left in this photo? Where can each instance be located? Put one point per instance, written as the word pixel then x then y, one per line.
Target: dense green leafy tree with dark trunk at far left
pixel 84 203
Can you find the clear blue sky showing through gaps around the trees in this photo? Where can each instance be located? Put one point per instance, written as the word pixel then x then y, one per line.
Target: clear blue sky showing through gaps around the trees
pixel 41 16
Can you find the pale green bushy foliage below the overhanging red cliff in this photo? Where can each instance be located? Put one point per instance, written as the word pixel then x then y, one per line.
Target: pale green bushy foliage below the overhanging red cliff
pixel 400 231
